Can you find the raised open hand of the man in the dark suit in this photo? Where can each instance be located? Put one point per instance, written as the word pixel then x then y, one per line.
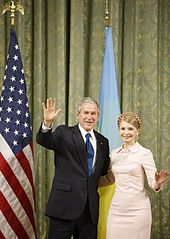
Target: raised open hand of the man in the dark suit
pixel 50 112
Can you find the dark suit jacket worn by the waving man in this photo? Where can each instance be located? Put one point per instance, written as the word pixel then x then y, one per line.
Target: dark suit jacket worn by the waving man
pixel 71 184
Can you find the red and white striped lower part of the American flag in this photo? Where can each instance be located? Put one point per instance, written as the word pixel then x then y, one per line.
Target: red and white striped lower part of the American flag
pixel 17 199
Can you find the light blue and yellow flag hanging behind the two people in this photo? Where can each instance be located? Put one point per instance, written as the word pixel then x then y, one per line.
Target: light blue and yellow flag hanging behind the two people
pixel 109 112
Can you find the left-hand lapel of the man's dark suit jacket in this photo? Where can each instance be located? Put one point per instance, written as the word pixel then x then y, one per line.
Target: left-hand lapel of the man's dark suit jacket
pixel 80 147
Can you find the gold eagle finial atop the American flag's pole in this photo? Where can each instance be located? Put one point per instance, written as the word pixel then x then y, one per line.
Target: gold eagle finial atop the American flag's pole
pixel 13 8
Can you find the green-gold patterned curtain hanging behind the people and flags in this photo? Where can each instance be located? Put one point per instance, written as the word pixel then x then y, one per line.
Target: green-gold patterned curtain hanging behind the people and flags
pixel 62 45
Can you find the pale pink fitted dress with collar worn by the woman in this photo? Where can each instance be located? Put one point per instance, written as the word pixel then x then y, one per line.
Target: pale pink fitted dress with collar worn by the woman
pixel 129 215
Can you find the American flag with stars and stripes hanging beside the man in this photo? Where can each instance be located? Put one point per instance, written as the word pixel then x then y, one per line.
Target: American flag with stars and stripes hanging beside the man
pixel 17 198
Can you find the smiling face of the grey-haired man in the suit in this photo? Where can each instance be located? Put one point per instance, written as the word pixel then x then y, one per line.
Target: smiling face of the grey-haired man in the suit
pixel 88 116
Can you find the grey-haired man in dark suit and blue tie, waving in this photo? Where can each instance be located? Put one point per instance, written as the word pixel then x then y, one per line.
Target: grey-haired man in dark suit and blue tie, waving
pixel 74 201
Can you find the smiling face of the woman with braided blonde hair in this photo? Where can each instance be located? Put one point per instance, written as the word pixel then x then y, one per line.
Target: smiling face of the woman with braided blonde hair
pixel 128 133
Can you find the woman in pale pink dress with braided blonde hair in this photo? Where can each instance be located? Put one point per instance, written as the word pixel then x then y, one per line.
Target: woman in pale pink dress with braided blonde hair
pixel 129 215
